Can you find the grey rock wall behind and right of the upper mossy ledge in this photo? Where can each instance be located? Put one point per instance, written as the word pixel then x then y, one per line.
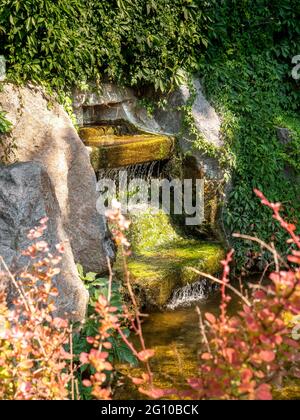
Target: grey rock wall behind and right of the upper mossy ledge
pixel 113 104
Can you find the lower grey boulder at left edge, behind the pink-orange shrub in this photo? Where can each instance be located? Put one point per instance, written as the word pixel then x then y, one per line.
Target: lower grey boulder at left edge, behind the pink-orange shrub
pixel 26 196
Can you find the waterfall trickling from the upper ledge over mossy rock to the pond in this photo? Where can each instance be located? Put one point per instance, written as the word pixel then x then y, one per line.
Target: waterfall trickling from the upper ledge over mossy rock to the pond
pixel 153 234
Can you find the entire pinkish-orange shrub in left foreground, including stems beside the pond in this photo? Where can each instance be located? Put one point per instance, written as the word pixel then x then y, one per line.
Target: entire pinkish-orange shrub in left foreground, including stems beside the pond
pixel 39 353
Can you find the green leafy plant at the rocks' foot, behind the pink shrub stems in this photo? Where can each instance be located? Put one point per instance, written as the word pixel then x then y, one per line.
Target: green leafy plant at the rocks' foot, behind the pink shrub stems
pixel 119 352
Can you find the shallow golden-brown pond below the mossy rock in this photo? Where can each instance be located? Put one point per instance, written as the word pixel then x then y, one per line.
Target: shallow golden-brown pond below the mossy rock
pixel 175 337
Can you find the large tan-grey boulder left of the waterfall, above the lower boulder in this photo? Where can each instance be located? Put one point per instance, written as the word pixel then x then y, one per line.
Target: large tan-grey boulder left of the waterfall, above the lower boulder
pixel 43 132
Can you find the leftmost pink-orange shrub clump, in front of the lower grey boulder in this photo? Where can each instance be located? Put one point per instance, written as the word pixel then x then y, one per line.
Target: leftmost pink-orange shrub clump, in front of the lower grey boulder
pixel 33 362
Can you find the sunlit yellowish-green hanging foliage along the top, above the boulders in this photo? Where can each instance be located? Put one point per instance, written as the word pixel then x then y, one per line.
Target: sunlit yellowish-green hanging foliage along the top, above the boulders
pixel 135 42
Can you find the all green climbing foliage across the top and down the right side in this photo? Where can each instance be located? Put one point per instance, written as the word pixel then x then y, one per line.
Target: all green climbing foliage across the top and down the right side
pixel 241 48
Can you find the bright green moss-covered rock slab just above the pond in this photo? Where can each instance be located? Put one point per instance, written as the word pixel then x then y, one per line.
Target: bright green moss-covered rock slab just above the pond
pixel 162 259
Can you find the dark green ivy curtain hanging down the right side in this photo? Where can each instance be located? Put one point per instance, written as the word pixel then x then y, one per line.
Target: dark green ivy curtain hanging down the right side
pixel 247 75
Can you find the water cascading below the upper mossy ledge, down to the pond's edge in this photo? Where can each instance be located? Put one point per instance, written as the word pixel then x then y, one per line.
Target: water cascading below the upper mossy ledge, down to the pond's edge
pixel 158 247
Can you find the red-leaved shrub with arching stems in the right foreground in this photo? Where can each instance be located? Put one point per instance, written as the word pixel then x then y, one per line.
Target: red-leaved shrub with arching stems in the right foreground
pixel 247 355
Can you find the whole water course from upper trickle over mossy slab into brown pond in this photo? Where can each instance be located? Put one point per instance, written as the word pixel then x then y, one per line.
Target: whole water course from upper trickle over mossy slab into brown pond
pixel 158 246
